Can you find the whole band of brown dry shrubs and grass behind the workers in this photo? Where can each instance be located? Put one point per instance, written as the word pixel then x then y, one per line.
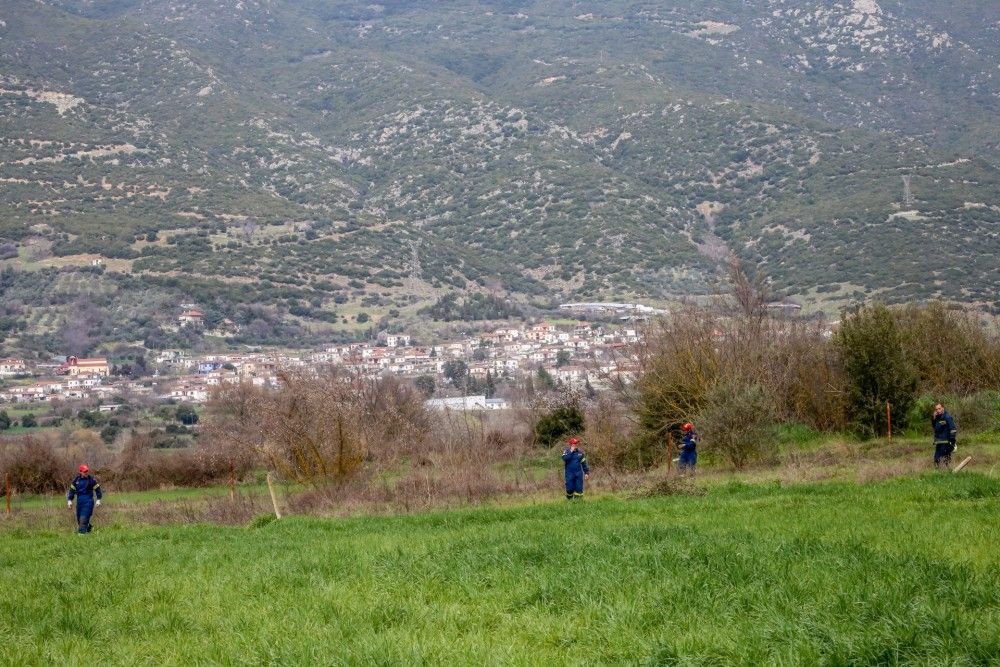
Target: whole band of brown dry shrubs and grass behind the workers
pixel 344 444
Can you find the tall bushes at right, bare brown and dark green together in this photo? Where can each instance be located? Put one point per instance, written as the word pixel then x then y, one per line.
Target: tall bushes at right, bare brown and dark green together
pixel 878 354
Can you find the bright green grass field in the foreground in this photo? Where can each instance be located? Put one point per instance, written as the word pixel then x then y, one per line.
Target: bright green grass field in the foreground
pixel 836 573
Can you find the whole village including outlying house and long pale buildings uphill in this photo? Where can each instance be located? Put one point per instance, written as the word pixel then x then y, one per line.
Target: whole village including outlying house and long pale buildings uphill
pixel 574 356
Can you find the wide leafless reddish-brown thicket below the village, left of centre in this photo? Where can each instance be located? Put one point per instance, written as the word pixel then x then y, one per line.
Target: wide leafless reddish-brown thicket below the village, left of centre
pixel 339 433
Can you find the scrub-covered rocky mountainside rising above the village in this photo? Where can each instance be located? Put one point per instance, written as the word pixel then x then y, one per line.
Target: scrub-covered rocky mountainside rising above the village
pixel 290 166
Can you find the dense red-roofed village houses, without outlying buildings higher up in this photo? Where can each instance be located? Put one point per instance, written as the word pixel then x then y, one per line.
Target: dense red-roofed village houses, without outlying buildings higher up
pixel 574 356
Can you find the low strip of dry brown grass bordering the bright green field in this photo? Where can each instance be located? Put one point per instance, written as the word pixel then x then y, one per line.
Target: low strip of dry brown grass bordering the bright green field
pixel 440 481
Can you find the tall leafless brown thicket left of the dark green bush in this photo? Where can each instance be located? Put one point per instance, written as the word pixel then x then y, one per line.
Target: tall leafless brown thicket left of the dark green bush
pixel 699 351
